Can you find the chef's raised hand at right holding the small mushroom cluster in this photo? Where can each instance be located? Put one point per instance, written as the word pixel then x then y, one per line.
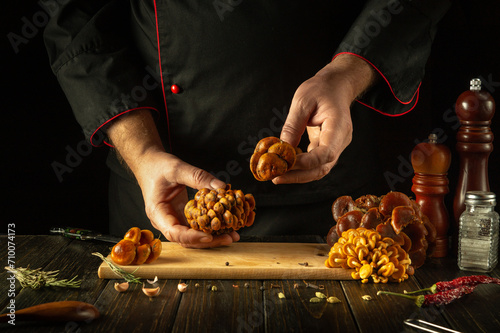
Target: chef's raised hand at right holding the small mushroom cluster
pixel 322 106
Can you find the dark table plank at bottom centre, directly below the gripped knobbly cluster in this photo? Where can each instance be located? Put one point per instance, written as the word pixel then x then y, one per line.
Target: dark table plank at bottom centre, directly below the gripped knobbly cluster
pixel 231 308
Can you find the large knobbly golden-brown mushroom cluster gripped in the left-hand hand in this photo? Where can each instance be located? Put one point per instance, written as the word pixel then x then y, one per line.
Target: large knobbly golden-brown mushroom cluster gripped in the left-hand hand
pixel 220 211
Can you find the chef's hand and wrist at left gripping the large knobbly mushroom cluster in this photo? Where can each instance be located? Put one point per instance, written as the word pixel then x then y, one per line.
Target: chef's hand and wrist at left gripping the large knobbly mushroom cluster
pixel 163 179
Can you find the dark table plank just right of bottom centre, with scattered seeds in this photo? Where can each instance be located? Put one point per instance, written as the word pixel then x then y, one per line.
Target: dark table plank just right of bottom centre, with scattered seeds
pixel 295 312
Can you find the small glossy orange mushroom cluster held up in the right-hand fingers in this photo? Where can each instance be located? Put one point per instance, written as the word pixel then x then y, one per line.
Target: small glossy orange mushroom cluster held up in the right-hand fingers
pixel 272 157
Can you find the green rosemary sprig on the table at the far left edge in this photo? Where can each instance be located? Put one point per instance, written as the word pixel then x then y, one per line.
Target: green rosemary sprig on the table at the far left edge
pixel 36 278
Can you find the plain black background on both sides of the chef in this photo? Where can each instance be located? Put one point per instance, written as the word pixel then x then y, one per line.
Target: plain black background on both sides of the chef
pixel 39 131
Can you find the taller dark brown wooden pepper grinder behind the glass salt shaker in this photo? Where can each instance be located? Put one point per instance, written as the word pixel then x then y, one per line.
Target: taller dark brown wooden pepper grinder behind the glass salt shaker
pixel 475 109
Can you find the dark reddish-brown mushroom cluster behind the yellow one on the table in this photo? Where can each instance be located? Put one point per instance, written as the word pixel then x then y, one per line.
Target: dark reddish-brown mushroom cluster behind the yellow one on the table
pixel 393 215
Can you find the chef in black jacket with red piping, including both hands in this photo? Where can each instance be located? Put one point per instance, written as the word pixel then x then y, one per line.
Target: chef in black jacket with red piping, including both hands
pixel 183 90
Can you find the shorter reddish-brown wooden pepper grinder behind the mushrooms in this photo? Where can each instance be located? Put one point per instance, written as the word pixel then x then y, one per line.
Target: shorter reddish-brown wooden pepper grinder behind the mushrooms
pixel 431 161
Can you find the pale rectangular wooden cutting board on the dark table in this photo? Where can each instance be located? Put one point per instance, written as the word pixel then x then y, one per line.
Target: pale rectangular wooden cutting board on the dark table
pixel 246 261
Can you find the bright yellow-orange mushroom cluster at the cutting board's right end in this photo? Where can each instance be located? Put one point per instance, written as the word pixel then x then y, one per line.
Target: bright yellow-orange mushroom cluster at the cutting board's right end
pixel 371 256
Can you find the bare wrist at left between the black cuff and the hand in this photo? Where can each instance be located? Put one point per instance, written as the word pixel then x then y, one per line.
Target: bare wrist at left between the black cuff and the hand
pixel 134 135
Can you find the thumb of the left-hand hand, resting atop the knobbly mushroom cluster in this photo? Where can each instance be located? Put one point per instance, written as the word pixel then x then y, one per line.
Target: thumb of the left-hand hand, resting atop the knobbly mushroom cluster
pixel 197 178
